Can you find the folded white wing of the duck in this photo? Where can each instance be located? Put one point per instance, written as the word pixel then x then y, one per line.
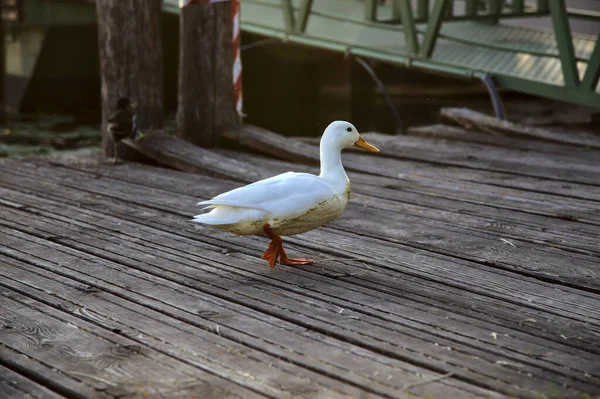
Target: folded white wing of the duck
pixel 286 194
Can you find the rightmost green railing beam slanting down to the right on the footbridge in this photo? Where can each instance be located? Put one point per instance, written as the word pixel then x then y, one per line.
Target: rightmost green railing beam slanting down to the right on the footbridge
pixel 564 41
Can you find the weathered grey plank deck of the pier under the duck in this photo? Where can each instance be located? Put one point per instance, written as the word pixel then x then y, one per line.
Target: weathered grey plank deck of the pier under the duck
pixel 467 265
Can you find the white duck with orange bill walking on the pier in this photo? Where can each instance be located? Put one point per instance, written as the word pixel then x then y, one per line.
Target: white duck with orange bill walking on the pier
pixel 289 203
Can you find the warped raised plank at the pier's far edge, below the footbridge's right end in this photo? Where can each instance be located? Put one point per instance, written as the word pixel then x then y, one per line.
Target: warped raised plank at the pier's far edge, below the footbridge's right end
pixel 475 120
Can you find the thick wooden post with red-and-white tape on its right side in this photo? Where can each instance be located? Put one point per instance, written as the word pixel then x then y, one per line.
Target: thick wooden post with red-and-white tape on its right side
pixel 206 98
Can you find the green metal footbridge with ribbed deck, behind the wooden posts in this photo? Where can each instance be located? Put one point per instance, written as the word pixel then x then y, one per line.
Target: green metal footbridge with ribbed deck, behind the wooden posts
pixel 462 38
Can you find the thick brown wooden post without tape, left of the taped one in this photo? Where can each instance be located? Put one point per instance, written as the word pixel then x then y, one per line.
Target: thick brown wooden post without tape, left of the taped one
pixel 129 37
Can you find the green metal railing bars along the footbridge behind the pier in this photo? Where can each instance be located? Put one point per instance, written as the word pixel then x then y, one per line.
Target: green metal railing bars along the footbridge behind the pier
pixel 421 24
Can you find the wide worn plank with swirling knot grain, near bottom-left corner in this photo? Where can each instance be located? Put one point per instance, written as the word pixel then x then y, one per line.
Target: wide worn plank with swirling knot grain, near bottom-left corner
pixel 109 362
